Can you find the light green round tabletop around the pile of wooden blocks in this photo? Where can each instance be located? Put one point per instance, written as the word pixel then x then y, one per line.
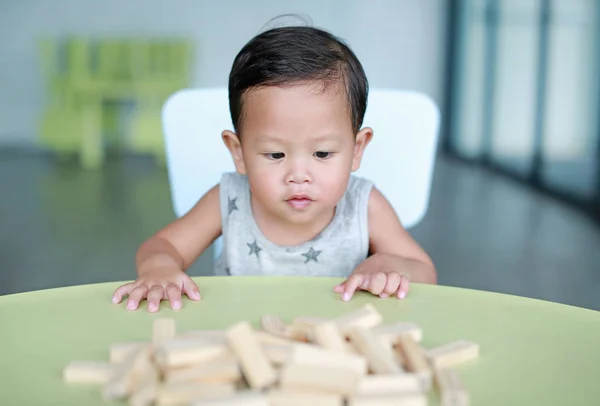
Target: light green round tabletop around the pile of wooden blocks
pixel 532 352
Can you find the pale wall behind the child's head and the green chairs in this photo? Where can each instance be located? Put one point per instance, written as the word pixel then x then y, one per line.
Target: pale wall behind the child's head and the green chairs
pixel 399 42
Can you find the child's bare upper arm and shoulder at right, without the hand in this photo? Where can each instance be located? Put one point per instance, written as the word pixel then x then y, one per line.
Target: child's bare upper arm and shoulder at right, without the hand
pixel 386 232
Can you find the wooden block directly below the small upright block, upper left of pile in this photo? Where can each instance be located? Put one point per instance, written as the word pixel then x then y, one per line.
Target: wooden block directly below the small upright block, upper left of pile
pixel 183 352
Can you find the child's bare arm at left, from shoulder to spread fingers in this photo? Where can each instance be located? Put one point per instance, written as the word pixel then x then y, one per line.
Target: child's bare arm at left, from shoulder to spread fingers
pixel 161 260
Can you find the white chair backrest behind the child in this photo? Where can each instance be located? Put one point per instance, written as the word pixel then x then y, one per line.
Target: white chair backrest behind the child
pixel 400 158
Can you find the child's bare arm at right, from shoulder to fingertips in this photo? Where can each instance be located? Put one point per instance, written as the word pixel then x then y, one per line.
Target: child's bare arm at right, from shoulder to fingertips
pixel 396 257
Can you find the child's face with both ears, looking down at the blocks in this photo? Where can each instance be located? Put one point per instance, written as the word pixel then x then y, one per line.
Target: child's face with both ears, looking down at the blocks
pixel 297 149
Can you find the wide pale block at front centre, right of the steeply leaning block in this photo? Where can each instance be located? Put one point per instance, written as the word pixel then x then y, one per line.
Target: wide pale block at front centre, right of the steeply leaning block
pixel 311 378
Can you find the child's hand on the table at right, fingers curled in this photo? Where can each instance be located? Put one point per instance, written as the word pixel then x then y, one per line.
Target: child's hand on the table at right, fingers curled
pixel 380 274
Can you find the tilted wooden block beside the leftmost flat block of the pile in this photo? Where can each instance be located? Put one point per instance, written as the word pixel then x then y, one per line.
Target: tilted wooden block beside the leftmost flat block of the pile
pixel 122 381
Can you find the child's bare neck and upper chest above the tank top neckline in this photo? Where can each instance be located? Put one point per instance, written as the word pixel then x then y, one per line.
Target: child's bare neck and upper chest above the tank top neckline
pixel 284 233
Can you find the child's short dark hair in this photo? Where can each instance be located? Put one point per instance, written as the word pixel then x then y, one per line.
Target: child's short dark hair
pixel 291 55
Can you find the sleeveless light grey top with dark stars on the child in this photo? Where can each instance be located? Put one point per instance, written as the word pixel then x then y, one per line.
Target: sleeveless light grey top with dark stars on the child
pixel 336 251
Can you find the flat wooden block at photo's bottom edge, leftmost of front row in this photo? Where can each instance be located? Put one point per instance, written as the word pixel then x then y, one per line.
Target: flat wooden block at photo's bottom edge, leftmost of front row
pixel 185 393
